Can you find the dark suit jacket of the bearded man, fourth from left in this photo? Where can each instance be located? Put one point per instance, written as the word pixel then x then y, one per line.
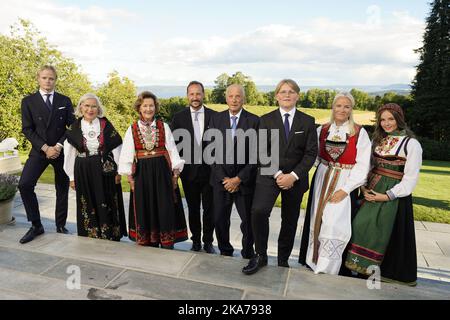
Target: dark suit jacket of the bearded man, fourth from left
pixel 183 120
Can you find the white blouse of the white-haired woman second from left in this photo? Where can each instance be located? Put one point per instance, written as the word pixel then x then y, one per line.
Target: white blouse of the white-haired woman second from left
pixel 92 144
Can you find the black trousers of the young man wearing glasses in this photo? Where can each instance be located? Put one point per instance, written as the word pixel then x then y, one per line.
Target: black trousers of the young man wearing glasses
pixel 263 202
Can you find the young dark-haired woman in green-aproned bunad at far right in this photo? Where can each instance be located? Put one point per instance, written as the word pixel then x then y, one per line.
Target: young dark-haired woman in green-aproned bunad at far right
pixel 383 231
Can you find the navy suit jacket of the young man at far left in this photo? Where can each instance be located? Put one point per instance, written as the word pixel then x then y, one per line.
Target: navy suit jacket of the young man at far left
pixel 42 127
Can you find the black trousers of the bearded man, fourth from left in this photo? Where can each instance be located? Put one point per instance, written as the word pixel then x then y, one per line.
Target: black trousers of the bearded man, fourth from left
pixel 196 193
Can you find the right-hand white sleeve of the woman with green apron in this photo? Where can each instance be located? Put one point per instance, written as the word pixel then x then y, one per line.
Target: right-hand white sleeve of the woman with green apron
pixel 411 172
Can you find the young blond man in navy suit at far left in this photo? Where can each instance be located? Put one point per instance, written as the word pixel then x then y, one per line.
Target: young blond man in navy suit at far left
pixel 45 116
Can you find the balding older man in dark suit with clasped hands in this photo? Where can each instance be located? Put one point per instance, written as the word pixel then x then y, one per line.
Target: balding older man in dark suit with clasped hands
pixel 233 180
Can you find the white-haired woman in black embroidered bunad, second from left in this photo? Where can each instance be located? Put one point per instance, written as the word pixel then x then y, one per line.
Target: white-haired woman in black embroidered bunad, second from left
pixel 91 151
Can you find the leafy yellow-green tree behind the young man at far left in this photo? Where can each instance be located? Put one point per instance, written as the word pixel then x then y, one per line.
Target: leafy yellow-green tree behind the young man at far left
pixel 22 53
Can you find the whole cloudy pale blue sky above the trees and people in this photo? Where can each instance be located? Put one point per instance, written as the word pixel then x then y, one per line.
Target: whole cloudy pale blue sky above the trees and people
pixel 172 42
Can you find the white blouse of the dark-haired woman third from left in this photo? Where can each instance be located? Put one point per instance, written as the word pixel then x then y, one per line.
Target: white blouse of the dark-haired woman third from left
pixel 128 150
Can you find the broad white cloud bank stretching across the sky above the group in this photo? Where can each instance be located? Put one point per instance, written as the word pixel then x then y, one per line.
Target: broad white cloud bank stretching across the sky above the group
pixel 319 51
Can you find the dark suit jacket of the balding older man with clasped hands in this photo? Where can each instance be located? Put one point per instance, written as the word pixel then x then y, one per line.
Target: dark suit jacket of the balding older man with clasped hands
pixel 246 172
